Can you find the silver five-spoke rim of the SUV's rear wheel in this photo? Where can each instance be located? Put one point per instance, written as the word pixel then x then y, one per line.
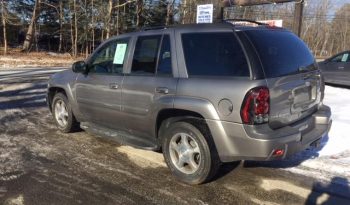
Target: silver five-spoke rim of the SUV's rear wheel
pixel 185 153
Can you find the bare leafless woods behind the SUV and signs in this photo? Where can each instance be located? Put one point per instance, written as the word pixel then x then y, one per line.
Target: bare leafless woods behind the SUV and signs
pixel 78 26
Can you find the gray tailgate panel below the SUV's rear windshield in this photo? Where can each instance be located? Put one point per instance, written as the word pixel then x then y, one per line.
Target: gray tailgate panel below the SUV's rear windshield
pixel 293 97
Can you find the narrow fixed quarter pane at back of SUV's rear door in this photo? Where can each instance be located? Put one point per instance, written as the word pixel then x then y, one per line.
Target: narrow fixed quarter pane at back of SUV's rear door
pixel 164 64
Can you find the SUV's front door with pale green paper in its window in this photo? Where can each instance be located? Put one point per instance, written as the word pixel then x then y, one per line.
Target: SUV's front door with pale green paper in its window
pixel 98 92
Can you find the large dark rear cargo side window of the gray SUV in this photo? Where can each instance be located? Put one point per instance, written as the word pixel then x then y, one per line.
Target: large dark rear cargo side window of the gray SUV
pixel 215 54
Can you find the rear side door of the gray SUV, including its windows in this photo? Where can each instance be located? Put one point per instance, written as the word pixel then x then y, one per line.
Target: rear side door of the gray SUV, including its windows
pixel 150 84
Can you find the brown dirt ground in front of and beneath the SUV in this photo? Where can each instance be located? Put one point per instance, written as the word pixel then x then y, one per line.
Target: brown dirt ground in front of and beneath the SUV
pixel 40 165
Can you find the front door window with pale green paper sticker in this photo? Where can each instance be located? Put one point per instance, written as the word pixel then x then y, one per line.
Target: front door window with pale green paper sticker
pixel 110 58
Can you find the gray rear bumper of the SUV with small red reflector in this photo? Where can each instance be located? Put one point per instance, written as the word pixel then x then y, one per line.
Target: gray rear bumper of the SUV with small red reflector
pixel 246 142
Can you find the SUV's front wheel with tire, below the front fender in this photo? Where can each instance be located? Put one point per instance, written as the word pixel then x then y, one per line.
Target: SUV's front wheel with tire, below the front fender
pixel 63 115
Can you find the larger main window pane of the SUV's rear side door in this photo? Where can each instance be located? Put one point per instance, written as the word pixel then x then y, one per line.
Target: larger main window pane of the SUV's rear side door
pixel 145 56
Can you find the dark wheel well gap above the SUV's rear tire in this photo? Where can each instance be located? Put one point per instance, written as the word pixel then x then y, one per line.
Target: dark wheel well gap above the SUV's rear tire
pixel 175 115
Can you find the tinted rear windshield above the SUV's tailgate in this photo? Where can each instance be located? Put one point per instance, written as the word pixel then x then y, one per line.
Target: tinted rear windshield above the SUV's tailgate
pixel 281 52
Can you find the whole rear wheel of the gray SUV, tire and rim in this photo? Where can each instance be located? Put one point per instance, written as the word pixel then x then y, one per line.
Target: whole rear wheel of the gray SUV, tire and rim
pixel 189 166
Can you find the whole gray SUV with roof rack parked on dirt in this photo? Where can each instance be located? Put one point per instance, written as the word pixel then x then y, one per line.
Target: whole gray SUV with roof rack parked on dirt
pixel 202 94
